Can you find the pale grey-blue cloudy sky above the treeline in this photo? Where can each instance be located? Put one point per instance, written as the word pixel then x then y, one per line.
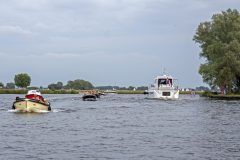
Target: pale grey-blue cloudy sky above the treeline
pixel 107 42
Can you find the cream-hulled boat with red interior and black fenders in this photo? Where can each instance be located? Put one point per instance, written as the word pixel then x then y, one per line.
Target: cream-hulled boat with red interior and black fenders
pixel 33 102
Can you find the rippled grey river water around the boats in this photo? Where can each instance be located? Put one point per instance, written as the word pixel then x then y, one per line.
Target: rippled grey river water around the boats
pixel 124 127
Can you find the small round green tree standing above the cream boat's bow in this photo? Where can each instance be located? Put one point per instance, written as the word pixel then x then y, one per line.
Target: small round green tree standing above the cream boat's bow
pixel 22 80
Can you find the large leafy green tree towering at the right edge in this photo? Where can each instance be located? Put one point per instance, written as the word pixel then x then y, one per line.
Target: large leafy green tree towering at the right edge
pixel 219 40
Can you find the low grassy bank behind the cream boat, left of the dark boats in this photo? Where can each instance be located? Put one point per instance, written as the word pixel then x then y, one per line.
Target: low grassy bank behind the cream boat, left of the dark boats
pixel 24 91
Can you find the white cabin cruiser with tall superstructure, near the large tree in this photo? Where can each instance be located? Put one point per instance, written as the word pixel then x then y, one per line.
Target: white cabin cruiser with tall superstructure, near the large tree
pixel 164 88
